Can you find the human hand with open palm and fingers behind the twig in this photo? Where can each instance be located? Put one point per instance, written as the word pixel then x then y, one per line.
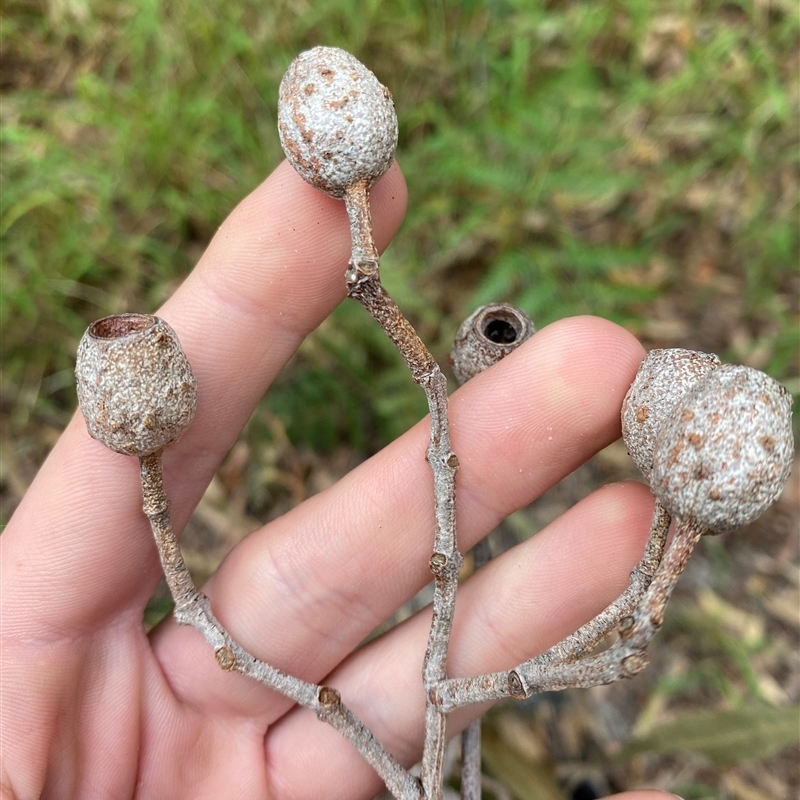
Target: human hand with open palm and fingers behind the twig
pixel 93 707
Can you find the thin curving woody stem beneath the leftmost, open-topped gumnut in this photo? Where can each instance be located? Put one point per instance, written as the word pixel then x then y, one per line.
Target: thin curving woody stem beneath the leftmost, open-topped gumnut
pixel 193 608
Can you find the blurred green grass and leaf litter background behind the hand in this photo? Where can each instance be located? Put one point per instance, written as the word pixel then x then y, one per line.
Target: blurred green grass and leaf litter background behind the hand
pixel 634 159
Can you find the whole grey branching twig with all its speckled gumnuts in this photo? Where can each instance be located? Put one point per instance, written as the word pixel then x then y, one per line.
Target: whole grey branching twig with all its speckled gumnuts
pixel 715 443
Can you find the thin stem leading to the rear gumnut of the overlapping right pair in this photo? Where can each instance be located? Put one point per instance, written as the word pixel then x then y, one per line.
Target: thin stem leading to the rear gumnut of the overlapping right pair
pixel 460 692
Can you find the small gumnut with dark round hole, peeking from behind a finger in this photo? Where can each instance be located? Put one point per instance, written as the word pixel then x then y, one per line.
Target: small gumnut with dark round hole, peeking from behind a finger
pixel 486 336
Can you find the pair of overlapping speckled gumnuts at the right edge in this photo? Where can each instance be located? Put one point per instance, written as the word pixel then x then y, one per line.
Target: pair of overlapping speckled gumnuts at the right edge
pixel 713 440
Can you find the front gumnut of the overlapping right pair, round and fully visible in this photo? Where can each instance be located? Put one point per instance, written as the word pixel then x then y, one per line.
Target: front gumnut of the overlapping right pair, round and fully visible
pixel 726 453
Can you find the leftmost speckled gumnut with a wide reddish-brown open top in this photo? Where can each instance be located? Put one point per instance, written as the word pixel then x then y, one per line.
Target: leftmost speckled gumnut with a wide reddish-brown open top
pixel 136 389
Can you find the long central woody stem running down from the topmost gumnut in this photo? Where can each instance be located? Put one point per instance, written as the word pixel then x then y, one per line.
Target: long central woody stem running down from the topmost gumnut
pixel 363 284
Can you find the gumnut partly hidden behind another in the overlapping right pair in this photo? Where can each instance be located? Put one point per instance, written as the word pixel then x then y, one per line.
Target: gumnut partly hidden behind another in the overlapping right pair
pixel 664 377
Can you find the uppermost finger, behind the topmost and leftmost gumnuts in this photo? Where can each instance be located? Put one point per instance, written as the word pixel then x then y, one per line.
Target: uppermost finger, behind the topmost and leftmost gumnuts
pixel 78 549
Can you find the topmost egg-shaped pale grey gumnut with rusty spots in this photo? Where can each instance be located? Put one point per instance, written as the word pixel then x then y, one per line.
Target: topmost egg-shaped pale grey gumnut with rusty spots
pixel 336 121
